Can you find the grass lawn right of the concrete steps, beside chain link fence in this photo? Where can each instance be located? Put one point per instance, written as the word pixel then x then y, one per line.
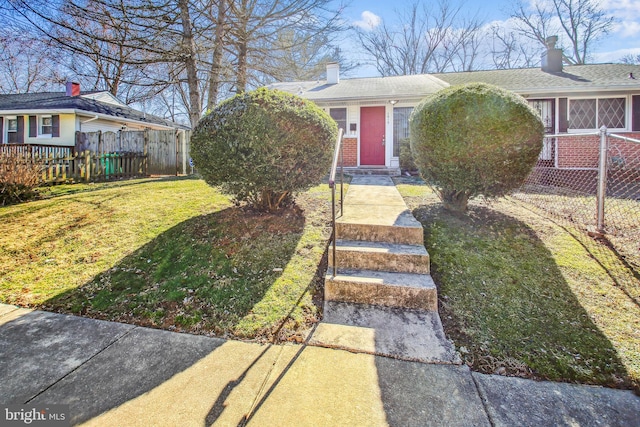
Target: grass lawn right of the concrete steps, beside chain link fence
pixel 521 295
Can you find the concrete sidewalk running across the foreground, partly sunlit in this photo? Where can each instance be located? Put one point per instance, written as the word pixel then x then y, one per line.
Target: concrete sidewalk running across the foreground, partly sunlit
pixel 114 374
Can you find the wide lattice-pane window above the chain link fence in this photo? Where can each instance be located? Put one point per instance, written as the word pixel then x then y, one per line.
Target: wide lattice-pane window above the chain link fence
pixel 595 113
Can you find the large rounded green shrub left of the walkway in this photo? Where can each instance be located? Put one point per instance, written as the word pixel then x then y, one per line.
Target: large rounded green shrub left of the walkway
pixel 262 146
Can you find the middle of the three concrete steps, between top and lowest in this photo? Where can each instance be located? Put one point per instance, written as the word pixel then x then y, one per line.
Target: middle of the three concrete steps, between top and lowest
pixel 380 256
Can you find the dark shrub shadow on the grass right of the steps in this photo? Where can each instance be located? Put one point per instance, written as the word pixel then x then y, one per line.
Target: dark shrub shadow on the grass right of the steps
pixel 507 306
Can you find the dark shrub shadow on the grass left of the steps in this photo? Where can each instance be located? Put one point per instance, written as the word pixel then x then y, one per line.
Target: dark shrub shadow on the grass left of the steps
pixel 205 275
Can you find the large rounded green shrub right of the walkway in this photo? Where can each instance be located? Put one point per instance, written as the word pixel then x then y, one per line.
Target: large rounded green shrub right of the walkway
pixel 474 139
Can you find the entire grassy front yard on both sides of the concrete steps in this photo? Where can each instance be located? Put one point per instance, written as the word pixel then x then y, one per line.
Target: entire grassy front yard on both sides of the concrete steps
pixel 519 294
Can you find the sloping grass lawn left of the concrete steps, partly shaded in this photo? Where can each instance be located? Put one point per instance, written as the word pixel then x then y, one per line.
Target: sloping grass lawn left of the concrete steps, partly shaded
pixel 168 253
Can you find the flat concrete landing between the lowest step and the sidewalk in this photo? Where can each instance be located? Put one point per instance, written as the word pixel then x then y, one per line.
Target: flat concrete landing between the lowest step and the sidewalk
pixel 399 333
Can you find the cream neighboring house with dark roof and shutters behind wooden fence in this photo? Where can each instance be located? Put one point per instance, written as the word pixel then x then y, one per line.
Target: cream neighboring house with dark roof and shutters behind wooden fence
pixel 54 118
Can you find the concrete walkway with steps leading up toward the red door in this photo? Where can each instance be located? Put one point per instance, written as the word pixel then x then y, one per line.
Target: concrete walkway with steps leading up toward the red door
pixel 382 301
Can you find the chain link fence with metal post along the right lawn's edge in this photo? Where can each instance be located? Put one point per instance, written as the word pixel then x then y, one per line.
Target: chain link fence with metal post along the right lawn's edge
pixel 592 181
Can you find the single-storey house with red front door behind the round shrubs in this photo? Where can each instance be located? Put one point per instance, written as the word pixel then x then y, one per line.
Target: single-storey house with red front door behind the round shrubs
pixel 374 111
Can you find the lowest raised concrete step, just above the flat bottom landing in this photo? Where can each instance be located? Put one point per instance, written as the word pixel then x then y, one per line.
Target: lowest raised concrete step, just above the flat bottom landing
pixel 416 291
